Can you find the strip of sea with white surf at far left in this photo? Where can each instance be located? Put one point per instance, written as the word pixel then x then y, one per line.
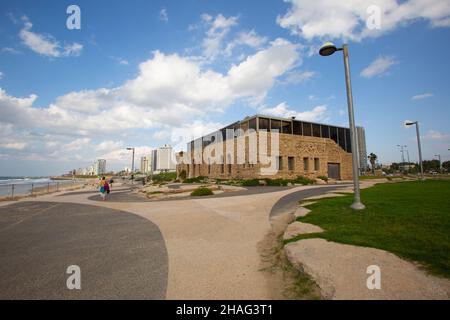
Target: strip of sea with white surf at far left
pixel 23 185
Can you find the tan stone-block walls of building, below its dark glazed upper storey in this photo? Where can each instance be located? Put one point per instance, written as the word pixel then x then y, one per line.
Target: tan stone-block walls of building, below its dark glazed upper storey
pixel 303 149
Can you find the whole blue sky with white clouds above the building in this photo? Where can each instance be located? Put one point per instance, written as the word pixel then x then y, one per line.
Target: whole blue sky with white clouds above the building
pixel 148 73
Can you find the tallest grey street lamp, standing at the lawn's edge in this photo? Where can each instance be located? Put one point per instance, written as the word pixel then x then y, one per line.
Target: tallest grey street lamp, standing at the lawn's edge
pixel 326 50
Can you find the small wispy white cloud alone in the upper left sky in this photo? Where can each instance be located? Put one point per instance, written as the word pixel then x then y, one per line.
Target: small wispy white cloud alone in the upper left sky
pixel 46 45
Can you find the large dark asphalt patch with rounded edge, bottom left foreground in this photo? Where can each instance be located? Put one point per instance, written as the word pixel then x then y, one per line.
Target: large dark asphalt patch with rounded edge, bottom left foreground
pixel 121 255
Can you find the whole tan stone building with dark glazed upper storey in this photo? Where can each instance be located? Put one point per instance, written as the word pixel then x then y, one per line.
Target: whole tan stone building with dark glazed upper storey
pixel 243 150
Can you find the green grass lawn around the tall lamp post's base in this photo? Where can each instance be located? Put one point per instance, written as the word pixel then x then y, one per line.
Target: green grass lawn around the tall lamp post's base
pixel 410 219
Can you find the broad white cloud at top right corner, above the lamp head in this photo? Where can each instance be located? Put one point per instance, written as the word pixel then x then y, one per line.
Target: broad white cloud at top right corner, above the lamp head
pixel 330 19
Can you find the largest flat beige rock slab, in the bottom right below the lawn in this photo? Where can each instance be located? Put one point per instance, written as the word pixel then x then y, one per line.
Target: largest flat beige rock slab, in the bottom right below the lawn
pixel 340 270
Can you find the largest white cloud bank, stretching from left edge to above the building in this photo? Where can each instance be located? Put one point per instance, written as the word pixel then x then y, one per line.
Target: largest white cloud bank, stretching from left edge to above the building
pixel 168 90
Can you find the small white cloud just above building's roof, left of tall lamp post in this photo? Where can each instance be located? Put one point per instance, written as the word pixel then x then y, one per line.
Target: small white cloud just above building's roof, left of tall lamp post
pixel 318 113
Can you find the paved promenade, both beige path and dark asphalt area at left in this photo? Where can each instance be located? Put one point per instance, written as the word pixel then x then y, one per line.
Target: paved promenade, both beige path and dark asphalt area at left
pixel 211 244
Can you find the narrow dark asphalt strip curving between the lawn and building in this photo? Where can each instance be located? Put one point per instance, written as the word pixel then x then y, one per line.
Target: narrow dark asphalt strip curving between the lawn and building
pixel 289 202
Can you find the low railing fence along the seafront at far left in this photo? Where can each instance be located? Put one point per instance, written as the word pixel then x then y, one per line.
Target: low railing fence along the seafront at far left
pixel 10 191
